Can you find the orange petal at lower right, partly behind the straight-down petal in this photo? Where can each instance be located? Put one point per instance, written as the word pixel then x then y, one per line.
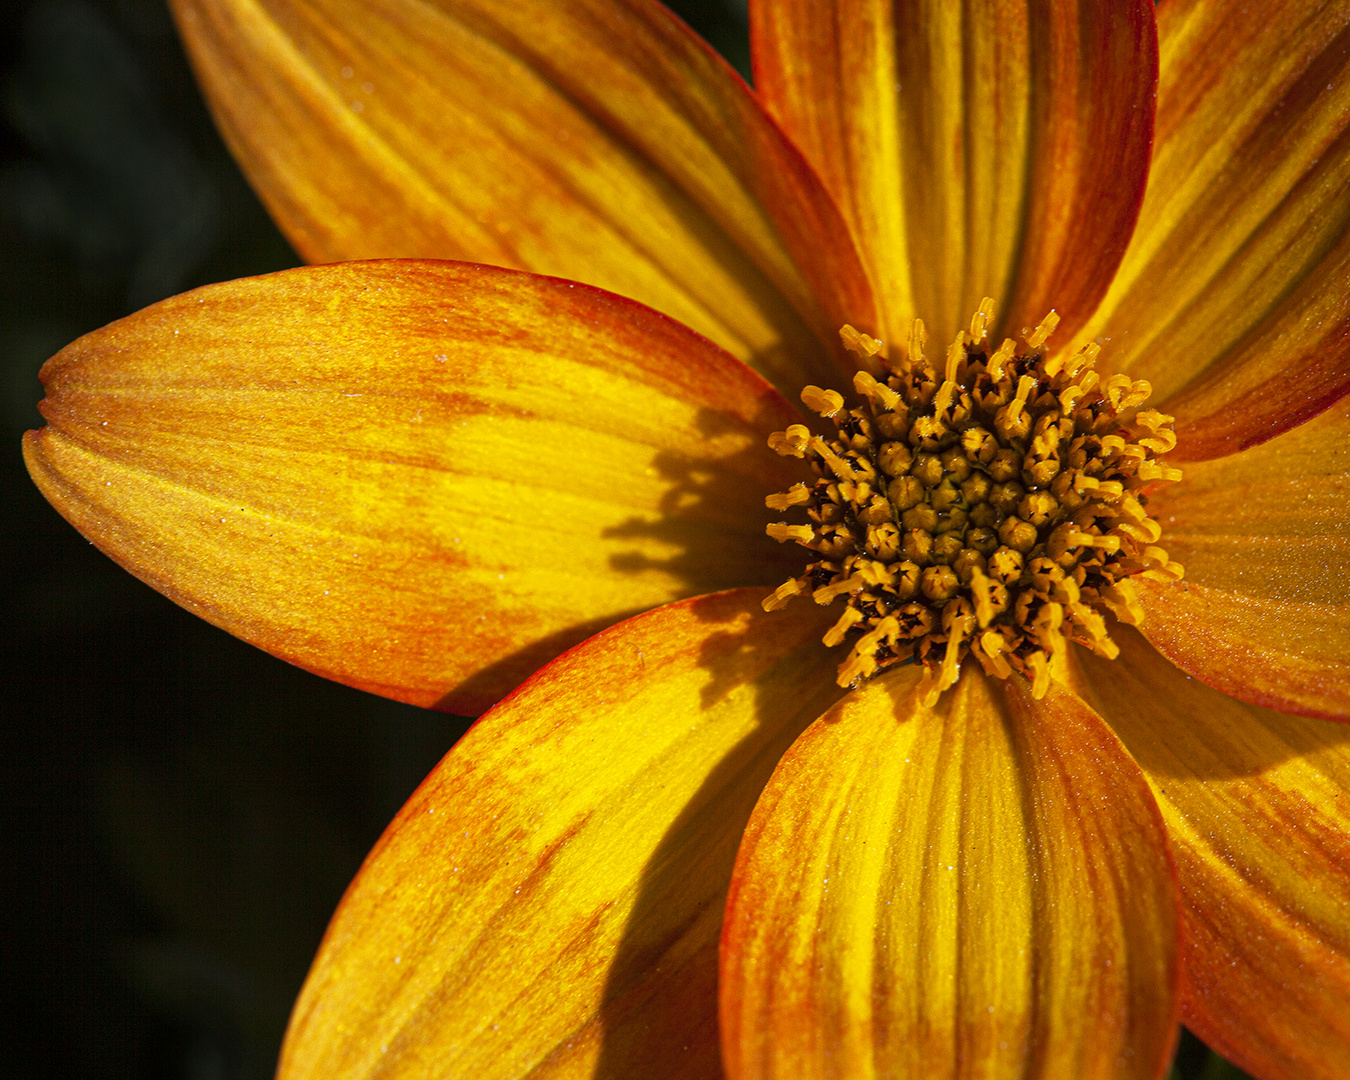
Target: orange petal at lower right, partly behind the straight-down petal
pixel 1259 812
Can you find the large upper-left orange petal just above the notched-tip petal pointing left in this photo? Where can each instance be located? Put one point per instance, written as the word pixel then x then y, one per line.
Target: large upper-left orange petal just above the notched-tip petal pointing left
pixel 595 141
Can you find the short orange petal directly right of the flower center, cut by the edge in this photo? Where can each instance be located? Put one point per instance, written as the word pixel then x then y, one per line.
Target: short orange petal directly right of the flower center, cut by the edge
pixel 1264 611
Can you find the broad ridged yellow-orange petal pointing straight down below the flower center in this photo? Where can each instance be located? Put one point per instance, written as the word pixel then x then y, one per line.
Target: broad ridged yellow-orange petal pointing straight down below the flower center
pixel 982 889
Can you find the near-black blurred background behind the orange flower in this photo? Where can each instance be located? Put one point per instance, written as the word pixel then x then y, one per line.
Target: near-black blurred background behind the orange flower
pixel 180 812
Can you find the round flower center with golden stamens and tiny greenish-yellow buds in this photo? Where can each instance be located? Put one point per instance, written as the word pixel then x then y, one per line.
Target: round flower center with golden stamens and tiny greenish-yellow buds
pixel 993 510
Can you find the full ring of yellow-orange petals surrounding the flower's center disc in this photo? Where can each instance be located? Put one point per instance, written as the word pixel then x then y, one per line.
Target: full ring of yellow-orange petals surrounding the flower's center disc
pixel 431 479
